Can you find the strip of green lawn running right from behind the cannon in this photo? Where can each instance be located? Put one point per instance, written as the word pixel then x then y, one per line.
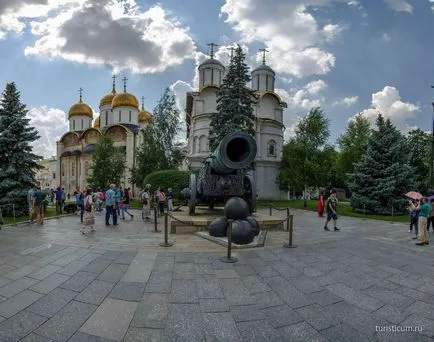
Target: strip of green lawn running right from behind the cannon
pixel 344 209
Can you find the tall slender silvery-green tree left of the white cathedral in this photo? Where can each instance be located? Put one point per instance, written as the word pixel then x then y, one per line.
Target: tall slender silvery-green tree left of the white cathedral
pixel 166 124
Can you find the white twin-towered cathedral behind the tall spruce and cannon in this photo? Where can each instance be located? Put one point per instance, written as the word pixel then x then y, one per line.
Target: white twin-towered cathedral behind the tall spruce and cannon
pixel 202 104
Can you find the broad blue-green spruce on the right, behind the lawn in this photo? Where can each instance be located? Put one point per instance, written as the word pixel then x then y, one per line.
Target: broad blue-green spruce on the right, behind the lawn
pixel 383 176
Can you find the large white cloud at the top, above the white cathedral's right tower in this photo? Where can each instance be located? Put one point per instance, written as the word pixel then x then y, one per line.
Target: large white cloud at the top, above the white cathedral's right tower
pixel 289 31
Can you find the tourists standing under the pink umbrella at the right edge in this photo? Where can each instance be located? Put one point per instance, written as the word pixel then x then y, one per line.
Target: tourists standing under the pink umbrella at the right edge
pixel 421 217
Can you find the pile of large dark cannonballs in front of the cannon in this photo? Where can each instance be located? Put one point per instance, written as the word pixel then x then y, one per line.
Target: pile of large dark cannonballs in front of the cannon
pixel 244 227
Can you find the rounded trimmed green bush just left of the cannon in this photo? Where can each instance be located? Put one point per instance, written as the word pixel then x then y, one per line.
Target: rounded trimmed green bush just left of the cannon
pixel 175 179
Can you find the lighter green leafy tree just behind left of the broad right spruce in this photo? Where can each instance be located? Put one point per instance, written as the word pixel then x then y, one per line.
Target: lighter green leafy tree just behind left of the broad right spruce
pixel 352 144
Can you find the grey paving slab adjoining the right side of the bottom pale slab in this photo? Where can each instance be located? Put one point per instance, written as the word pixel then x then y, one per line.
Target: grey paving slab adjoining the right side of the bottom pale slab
pixel 152 311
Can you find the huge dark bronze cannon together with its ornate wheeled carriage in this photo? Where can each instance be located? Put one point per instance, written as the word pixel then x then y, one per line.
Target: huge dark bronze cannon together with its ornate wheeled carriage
pixel 224 174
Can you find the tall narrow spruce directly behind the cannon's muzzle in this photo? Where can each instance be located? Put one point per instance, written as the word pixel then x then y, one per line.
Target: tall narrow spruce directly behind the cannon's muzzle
pixel 234 102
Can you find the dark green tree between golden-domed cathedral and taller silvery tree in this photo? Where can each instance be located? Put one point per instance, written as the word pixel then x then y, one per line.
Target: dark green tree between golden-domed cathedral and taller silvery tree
pixel 150 157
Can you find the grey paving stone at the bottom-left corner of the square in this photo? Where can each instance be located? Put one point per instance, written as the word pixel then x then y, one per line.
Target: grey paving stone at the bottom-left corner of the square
pixel 15 328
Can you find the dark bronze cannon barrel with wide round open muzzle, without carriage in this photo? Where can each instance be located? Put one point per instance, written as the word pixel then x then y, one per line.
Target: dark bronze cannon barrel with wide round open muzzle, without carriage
pixel 236 151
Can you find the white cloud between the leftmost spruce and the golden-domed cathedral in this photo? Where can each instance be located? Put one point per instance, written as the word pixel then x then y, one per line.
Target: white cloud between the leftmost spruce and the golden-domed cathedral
pixel 51 124
